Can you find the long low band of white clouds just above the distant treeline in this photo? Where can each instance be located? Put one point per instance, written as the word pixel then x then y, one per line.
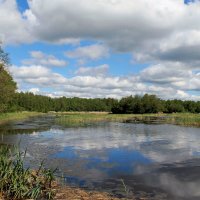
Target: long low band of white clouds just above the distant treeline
pixel 92 85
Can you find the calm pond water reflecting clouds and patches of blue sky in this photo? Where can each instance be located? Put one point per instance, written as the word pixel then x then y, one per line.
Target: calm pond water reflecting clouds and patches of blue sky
pixel 157 161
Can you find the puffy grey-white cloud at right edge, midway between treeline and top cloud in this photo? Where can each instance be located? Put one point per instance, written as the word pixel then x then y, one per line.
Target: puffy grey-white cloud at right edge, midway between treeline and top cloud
pixel 173 74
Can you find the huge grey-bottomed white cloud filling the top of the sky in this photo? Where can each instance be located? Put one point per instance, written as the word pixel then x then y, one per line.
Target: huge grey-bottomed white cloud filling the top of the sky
pixel 122 24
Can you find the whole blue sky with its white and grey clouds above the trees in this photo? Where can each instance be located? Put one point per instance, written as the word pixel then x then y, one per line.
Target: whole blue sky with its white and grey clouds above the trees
pixel 103 48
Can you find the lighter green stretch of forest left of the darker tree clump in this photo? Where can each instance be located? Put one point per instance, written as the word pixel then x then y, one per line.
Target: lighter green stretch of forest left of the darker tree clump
pixel 39 103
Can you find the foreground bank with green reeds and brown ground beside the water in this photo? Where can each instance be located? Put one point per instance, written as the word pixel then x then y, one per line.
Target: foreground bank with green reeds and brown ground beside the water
pixel 18 182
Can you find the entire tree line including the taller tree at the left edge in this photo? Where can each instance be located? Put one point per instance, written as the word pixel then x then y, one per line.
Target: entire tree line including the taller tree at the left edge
pixel 12 101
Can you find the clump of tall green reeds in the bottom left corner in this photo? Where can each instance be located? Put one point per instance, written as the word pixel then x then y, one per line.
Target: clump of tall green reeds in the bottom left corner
pixel 18 182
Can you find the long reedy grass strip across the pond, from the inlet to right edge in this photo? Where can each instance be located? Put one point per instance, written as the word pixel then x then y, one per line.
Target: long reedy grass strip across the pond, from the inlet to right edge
pixel 84 119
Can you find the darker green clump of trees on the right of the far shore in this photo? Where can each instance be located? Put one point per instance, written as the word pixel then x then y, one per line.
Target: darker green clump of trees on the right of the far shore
pixel 152 104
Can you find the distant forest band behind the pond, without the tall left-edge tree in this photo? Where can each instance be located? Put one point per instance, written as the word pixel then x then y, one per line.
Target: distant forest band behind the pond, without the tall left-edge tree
pixel 129 105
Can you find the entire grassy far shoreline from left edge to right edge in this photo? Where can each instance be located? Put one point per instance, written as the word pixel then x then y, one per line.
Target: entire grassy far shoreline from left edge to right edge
pixel 76 119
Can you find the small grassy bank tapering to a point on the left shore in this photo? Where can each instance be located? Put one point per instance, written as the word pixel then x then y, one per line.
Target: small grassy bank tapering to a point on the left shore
pixel 7 117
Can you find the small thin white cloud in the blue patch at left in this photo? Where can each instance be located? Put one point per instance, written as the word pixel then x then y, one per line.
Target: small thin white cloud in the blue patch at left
pixel 40 58
